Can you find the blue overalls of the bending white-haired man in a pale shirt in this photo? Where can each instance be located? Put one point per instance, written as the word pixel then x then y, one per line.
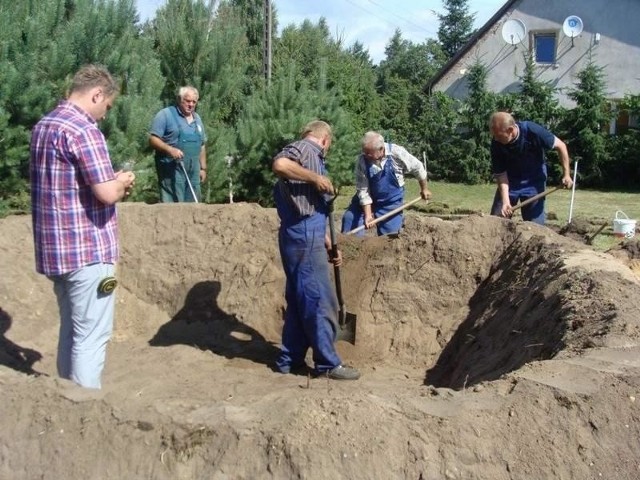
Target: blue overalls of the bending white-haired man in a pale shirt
pixel 386 193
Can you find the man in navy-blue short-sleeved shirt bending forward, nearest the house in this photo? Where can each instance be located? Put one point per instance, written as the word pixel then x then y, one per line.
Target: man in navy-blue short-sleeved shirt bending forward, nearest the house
pixel 519 166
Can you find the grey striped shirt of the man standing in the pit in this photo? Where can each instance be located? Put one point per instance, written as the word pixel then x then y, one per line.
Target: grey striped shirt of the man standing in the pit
pixel 303 197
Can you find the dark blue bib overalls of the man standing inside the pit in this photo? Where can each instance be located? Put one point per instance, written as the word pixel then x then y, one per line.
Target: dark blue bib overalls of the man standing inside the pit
pixel 312 306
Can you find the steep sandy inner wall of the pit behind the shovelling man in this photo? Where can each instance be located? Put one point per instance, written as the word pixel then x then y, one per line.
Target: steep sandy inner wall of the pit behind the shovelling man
pixel 468 300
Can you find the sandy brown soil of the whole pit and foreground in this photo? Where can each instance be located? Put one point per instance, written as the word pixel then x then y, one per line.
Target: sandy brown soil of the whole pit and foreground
pixel 490 349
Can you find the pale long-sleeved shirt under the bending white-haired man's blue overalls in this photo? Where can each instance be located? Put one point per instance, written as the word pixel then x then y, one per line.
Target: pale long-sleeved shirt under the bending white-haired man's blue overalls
pixel 403 164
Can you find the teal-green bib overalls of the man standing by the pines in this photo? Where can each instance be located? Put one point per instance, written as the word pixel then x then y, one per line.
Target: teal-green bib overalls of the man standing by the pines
pixel 171 176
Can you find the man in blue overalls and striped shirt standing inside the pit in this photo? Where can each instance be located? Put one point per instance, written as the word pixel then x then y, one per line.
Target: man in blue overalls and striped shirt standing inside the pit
pixel 312 307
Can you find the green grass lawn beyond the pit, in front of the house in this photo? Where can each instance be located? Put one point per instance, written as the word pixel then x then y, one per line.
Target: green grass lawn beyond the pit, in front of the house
pixel 591 208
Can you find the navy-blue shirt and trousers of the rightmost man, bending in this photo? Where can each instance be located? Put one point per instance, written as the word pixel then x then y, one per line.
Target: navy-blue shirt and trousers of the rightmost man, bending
pixel 525 164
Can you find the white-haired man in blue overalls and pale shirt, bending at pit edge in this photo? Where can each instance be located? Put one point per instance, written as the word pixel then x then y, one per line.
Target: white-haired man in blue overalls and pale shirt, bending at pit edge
pixel 380 171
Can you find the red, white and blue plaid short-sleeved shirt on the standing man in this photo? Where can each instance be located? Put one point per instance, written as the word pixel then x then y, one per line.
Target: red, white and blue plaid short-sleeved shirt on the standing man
pixel 71 227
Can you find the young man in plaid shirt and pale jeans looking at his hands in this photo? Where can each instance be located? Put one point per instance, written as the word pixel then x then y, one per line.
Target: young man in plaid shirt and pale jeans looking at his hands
pixel 73 193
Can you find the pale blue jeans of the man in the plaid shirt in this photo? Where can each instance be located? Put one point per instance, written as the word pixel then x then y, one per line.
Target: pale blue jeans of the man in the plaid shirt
pixel 86 323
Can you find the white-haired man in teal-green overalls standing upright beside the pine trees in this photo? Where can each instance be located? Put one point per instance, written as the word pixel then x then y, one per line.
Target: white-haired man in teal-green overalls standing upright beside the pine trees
pixel 177 135
